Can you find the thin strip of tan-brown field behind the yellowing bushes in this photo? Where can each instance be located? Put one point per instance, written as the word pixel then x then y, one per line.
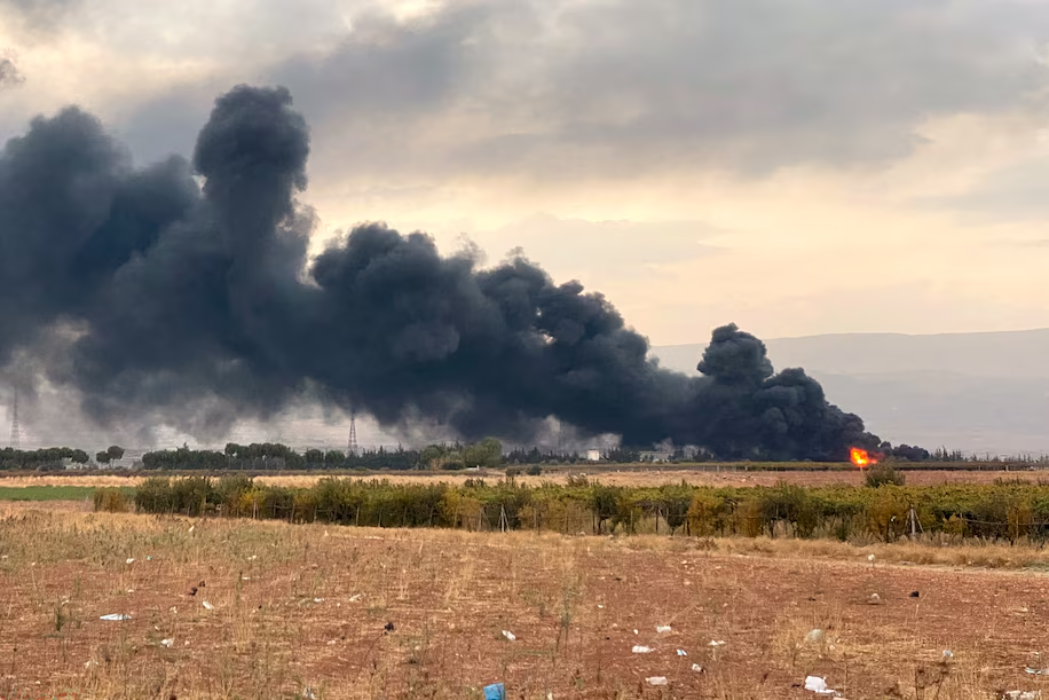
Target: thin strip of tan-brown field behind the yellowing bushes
pixel 653 478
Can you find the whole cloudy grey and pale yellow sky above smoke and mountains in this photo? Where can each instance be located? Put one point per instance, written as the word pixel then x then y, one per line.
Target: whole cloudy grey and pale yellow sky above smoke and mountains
pixel 795 166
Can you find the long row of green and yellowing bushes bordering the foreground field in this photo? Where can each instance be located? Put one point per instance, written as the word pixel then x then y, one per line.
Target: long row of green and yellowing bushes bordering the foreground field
pixel 1000 512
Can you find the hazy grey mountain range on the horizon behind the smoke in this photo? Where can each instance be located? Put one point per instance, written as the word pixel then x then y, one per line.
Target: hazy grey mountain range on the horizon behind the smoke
pixel 982 393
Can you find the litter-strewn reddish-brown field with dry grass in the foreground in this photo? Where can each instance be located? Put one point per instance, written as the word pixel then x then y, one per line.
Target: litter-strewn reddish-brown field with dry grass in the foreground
pixel 295 611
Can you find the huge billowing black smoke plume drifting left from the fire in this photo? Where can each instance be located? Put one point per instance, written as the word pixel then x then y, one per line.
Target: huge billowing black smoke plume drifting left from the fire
pixel 159 299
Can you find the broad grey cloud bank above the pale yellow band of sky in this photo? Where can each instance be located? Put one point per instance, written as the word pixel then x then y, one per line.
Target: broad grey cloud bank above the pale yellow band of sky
pixel 570 90
